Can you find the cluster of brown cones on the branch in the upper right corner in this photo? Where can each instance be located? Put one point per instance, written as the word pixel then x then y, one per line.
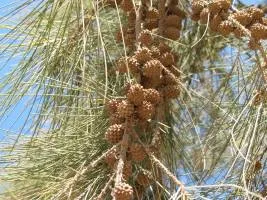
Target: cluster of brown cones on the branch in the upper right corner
pixel 221 19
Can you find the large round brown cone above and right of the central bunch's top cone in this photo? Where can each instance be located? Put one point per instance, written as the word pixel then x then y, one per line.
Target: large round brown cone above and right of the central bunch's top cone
pixel 152 69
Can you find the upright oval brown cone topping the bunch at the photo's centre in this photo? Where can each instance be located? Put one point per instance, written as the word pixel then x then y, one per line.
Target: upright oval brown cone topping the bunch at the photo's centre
pixel 136 94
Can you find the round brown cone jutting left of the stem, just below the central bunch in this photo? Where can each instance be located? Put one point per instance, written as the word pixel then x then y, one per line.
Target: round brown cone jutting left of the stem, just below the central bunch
pixel 114 133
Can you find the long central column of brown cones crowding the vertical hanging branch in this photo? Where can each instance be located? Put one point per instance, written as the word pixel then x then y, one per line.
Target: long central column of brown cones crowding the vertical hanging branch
pixel 155 80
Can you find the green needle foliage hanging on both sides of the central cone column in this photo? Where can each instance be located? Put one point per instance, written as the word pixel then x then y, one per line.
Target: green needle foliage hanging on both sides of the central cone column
pixel 215 137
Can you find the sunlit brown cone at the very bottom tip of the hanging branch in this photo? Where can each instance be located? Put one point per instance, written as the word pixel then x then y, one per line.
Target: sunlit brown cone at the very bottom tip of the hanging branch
pixel 122 191
